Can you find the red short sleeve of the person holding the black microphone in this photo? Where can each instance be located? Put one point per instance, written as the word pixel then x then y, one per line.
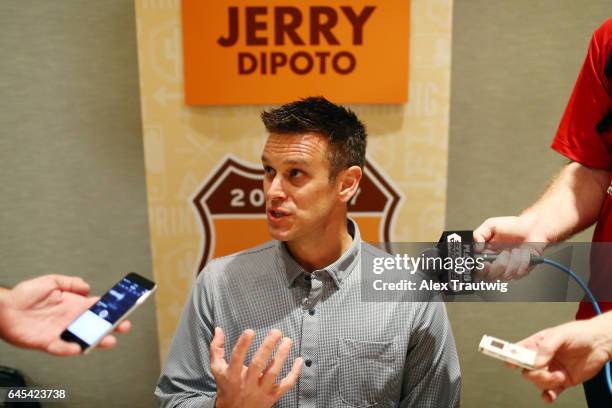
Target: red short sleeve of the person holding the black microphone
pixel 576 137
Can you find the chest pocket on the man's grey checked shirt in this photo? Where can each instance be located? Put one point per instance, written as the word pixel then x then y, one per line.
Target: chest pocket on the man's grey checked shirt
pixel 368 372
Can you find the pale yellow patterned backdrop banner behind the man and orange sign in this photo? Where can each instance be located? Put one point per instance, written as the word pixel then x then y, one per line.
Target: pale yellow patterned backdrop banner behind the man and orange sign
pixel 408 144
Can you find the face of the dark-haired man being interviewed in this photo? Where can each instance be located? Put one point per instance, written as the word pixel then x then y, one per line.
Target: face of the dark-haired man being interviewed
pixel 300 198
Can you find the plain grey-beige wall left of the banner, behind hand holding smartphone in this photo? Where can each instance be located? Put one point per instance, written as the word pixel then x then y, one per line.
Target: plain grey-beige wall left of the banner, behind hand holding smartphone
pixel 72 173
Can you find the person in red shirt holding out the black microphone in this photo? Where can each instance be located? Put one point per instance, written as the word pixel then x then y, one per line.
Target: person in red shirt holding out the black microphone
pixel 579 196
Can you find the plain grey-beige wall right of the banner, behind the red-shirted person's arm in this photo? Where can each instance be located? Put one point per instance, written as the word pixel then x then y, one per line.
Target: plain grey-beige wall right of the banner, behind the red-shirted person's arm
pixel 514 66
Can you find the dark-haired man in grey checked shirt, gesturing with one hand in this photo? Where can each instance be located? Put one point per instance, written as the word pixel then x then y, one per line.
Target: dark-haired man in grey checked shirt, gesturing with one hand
pixel 229 349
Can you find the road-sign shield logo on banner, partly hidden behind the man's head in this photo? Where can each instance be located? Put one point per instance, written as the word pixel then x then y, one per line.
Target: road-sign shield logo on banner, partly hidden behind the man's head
pixel 231 205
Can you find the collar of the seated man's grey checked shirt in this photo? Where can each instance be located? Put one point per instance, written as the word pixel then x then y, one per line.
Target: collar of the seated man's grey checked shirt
pixel 338 270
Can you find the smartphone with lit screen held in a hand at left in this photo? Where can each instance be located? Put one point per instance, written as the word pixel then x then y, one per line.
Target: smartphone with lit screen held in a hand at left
pixel 114 306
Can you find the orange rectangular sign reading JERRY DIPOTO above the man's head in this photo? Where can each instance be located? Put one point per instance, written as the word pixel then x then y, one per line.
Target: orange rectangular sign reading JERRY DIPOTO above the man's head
pixel 273 51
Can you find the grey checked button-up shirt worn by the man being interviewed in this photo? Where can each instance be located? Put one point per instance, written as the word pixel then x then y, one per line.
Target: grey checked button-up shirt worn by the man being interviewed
pixel 357 354
